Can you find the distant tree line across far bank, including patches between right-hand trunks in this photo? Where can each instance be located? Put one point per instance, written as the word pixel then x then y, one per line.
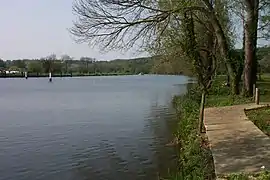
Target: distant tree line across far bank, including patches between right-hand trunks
pixel 67 65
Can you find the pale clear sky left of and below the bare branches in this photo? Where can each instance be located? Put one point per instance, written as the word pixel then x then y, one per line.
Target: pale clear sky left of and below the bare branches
pixel 38 28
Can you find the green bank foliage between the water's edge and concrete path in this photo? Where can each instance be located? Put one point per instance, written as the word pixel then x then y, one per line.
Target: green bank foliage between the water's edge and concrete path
pixel 195 160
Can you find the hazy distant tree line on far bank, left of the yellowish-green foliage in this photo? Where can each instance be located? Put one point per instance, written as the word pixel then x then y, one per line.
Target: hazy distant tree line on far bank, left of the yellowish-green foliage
pixel 67 65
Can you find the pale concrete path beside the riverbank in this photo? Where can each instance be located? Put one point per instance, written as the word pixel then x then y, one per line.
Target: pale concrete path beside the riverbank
pixel 237 144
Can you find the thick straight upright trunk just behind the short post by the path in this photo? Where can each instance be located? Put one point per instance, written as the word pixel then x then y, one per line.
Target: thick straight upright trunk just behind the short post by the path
pixel 251 26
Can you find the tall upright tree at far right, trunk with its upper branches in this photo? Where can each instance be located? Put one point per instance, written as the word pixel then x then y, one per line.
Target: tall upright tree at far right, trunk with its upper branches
pixel 255 17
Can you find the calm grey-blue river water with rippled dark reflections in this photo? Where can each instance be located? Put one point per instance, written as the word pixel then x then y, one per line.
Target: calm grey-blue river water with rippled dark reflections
pixel 94 128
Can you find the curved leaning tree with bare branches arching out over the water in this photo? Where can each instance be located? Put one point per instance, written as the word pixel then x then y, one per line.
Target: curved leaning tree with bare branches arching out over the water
pixel 119 24
